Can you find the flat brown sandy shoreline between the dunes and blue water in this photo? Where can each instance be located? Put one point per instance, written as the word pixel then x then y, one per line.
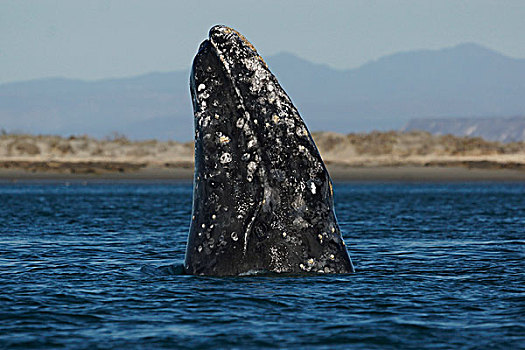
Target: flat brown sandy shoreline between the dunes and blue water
pixel 338 172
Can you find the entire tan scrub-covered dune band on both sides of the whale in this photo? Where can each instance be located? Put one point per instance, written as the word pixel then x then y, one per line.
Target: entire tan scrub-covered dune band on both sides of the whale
pixel 83 154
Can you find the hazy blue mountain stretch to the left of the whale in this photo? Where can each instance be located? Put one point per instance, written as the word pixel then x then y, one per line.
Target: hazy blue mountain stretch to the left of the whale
pixel 153 105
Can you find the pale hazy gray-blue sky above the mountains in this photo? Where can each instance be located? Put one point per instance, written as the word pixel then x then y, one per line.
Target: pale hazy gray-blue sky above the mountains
pixel 100 39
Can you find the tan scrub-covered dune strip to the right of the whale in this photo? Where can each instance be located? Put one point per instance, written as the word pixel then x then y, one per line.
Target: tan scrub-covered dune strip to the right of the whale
pixel 414 148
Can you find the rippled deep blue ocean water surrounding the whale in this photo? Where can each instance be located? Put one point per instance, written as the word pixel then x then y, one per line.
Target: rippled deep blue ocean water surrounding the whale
pixel 98 265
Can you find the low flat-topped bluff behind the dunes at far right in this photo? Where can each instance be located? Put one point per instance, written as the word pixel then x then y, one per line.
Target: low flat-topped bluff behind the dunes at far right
pixel 494 129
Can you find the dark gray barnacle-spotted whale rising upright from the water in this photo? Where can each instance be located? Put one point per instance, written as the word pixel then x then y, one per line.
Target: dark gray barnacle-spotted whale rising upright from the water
pixel 262 198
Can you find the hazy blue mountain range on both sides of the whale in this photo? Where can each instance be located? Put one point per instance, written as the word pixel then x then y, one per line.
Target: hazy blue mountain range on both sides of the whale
pixel 463 81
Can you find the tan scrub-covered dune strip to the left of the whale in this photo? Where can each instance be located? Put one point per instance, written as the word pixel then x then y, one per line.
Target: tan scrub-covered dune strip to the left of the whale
pixel 86 155
